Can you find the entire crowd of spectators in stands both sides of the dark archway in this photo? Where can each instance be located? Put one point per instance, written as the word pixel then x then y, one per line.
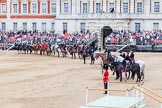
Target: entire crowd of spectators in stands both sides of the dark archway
pixel 118 37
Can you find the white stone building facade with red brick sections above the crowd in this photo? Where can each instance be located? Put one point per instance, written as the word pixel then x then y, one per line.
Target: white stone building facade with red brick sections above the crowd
pixel 80 15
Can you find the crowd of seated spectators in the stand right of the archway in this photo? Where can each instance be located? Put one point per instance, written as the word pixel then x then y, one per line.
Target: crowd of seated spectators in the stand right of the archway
pixel 135 38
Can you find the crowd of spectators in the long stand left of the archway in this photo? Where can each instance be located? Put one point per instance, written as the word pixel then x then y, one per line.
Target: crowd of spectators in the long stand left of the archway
pixel 45 37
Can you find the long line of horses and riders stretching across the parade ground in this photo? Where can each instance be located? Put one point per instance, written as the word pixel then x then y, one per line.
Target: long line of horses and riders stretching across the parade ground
pixel 83 51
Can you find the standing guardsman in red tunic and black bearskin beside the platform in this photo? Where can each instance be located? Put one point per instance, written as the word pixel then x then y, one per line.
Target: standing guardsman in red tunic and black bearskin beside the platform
pixel 106 79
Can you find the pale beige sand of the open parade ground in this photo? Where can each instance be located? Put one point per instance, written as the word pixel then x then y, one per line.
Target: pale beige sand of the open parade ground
pixel 34 81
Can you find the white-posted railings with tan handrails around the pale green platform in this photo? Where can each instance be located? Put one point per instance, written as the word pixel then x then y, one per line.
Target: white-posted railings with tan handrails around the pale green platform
pixel 138 91
